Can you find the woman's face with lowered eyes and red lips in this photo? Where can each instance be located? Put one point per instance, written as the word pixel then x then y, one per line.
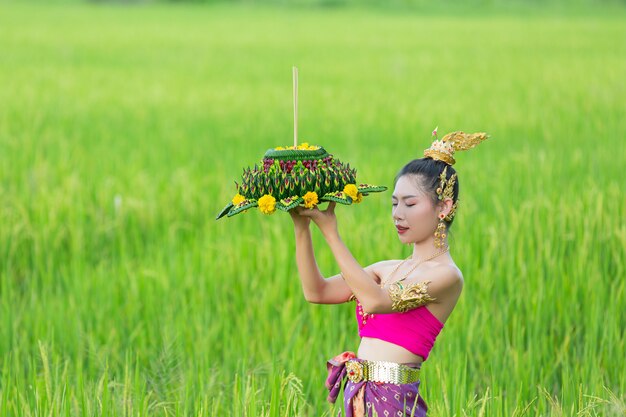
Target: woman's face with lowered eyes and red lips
pixel 413 212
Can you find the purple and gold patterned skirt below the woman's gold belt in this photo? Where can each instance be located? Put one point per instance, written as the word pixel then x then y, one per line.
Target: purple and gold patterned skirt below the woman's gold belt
pixel 369 398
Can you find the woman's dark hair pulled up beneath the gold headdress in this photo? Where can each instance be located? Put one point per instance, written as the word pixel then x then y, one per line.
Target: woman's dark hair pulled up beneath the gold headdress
pixel 427 171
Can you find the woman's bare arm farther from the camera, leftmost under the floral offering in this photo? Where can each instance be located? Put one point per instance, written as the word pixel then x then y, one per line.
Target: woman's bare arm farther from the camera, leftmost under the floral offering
pixel 315 288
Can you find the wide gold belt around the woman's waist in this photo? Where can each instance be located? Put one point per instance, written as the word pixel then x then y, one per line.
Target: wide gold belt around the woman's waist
pixel 378 371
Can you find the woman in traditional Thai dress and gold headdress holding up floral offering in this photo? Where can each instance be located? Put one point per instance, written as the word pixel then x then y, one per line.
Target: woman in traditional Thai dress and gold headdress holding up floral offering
pixel 401 305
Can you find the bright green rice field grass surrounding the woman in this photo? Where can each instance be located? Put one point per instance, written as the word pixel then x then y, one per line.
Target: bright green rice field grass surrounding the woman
pixel 123 128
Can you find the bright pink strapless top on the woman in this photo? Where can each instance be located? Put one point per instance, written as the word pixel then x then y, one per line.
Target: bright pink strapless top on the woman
pixel 415 330
